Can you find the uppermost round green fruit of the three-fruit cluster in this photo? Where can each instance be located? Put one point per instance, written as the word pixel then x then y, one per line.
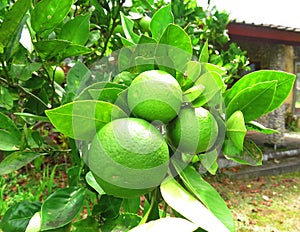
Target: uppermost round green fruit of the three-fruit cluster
pixel 155 95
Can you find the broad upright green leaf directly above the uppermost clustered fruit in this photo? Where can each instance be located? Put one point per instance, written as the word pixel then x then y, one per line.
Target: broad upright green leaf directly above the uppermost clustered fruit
pixel 176 45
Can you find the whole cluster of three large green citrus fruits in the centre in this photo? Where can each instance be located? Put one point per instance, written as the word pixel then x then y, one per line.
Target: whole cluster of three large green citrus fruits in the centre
pixel 130 156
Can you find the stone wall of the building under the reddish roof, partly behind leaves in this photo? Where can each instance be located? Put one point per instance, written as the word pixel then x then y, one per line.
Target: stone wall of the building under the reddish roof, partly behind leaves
pixel 275 57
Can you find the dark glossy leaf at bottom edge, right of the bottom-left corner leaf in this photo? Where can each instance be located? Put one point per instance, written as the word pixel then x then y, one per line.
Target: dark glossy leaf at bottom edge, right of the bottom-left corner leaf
pixel 61 207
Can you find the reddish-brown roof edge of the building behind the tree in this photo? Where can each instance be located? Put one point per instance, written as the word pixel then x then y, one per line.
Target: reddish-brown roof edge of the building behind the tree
pixel 240 30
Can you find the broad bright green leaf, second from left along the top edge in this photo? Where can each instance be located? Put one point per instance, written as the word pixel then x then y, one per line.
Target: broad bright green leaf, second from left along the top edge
pixel 47 14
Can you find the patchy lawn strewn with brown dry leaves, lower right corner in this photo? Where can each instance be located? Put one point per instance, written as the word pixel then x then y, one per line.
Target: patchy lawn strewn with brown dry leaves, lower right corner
pixel 269 204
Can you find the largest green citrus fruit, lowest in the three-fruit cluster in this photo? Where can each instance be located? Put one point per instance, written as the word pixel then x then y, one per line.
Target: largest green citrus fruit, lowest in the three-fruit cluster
pixel 128 157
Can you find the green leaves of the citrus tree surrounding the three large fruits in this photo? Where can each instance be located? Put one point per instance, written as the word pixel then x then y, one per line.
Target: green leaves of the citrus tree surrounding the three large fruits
pixel 80 37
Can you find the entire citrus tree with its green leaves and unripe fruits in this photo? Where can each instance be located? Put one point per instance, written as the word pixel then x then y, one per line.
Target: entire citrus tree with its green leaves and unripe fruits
pixel 141 121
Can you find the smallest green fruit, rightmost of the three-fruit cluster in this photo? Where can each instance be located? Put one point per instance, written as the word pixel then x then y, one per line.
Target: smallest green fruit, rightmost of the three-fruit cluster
pixel 193 131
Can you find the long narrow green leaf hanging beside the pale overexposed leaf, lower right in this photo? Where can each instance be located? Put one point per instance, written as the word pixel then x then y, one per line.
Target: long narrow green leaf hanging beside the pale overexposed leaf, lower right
pixel 208 196
